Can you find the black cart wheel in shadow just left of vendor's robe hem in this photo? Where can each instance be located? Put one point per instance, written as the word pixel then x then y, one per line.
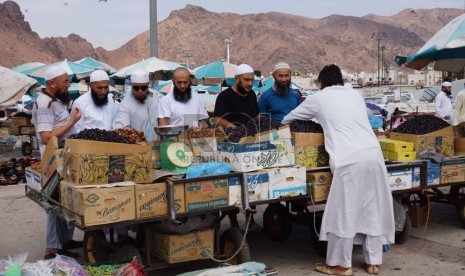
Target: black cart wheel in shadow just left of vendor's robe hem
pixel 277 222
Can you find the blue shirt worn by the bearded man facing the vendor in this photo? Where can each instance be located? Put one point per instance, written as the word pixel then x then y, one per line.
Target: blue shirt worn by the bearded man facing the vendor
pixel 278 105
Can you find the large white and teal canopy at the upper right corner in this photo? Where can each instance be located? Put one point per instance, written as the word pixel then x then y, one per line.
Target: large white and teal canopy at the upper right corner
pixel 446 48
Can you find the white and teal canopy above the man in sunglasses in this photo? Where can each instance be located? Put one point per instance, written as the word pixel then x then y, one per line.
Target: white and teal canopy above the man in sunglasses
pixel 155 66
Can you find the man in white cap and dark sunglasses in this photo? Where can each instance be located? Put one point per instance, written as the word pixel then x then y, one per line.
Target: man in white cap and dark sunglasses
pixel 139 110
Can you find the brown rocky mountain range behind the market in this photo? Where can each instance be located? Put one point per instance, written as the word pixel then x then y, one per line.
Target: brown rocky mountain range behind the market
pixel 260 40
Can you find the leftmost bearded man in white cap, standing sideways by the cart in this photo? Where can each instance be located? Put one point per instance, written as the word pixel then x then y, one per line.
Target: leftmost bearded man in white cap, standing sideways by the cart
pixel 51 118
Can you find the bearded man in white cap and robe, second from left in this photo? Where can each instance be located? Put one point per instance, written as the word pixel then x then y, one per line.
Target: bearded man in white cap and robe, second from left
pixel 97 105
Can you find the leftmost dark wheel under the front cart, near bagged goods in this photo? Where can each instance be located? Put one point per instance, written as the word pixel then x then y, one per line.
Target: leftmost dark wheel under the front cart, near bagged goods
pixel 95 249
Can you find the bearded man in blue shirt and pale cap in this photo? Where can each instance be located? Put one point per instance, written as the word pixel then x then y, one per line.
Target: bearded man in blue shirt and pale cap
pixel 280 99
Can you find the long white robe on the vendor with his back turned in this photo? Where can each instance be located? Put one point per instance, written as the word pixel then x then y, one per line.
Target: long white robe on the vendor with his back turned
pixel 360 200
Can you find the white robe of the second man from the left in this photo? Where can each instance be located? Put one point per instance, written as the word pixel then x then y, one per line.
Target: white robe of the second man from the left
pixel 94 116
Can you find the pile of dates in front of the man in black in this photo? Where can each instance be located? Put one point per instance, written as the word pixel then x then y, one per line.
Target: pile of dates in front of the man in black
pixel 252 127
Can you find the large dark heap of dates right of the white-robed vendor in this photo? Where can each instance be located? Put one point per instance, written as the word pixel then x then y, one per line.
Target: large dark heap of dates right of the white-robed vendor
pixel 422 124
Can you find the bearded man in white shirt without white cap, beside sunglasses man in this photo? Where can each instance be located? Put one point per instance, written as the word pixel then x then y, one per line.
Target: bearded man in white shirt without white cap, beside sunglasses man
pixel 181 107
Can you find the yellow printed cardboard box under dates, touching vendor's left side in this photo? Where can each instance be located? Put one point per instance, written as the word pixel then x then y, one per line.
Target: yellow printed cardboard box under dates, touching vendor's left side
pixel 310 150
